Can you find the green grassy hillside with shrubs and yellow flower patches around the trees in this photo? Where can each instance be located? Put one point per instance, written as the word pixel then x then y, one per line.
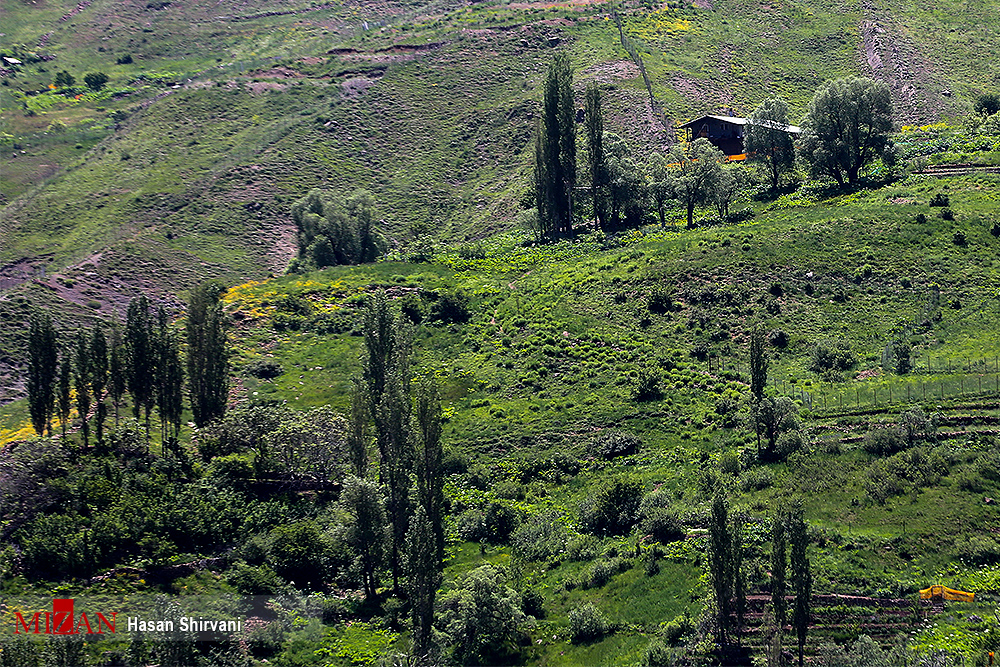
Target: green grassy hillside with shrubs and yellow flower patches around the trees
pixel 595 390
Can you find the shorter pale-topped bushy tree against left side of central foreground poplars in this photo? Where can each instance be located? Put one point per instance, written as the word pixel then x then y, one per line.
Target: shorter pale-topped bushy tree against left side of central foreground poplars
pixel 366 532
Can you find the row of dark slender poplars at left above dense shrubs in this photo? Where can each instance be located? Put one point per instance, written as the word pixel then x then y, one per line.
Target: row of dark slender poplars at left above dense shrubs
pixel 142 359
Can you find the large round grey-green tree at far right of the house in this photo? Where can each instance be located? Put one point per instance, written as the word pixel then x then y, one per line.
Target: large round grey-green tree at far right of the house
pixel 847 127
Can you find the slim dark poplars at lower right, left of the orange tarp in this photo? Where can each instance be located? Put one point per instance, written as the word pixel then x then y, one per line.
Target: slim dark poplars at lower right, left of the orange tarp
pixel 790 574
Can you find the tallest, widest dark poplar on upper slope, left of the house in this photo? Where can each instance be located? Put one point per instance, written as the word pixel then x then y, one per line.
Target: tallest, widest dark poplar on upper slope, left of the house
pixel 555 152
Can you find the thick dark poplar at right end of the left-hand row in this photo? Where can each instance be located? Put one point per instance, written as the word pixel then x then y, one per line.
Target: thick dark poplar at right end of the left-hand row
pixel 208 354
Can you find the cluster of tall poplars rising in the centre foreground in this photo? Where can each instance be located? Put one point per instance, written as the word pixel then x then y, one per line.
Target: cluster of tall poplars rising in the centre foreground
pixel 402 514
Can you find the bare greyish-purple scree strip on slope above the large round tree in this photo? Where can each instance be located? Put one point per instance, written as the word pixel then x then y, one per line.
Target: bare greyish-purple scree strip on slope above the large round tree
pixel 918 93
